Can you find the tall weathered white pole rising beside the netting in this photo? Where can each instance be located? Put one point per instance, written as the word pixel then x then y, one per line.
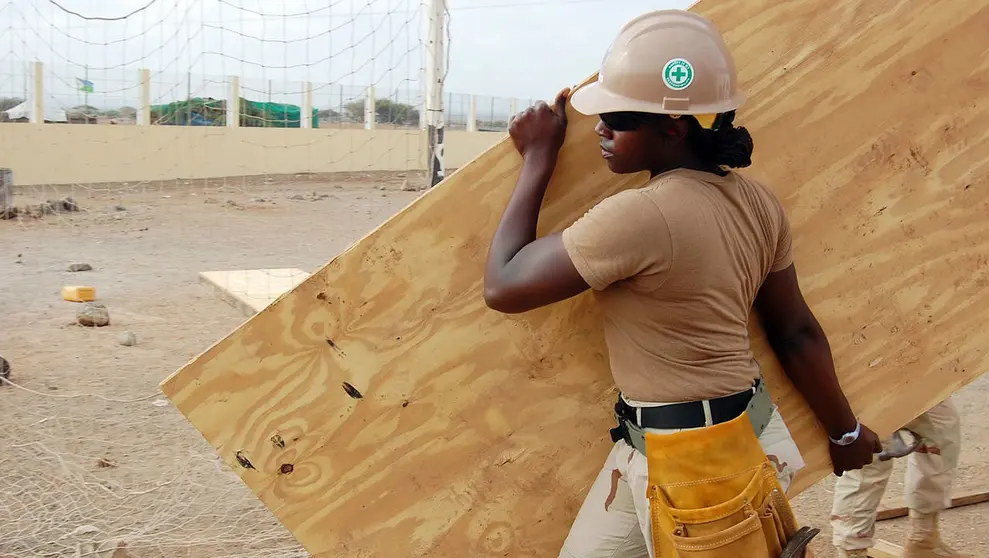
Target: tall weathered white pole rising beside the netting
pixel 435 74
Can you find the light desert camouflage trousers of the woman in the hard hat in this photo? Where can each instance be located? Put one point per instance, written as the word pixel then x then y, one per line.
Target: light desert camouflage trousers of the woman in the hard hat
pixel 614 520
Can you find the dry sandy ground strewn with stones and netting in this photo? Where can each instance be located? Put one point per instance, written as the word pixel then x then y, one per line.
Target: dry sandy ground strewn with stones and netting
pixel 90 451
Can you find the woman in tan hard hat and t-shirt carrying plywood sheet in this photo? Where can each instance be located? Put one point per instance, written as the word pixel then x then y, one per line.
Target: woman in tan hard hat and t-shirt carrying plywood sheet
pixel 676 267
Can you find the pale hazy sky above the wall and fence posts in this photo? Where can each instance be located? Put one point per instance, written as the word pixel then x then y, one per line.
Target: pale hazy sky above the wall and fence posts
pixel 500 48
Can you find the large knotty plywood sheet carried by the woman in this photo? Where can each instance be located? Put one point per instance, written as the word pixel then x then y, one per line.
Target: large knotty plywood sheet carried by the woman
pixel 380 409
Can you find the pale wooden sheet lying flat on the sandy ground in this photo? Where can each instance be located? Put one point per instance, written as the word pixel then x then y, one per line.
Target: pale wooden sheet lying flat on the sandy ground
pixel 252 290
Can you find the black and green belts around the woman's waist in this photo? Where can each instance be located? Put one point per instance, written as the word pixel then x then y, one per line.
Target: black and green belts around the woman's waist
pixel 632 421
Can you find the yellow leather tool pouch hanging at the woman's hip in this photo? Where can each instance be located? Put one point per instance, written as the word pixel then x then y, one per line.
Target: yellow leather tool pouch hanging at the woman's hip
pixel 714 494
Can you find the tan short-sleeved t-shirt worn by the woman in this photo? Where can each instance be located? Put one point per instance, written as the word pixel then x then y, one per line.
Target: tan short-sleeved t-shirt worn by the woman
pixel 675 266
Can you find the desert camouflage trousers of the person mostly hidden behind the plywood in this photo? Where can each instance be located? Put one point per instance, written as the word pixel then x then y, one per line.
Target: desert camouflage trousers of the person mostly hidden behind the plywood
pixel 930 472
